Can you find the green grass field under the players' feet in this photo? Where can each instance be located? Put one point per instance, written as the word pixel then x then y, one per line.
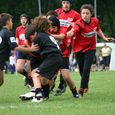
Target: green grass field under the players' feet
pixel 100 99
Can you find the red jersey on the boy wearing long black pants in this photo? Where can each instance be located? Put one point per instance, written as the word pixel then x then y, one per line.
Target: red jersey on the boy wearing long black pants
pixel 85 35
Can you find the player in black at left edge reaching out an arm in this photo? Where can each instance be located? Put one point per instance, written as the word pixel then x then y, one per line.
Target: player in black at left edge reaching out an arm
pixel 8 42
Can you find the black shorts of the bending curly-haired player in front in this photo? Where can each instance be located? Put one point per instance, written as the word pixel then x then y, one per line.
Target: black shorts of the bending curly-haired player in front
pixel 50 66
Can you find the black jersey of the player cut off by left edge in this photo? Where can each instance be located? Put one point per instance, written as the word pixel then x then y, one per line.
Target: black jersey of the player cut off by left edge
pixel 7 43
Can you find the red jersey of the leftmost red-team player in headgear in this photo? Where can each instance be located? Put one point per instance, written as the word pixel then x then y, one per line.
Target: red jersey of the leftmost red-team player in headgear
pixel 20 35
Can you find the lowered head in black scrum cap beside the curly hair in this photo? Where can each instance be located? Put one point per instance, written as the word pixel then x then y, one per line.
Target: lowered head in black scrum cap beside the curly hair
pixel 55 24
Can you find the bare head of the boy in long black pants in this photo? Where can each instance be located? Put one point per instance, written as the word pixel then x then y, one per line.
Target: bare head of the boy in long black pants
pixel 86 12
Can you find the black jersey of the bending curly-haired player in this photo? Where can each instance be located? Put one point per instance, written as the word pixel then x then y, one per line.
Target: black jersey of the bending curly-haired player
pixel 47 44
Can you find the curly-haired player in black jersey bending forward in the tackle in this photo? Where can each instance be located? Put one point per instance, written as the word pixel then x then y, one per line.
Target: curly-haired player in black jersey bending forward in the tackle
pixel 50 54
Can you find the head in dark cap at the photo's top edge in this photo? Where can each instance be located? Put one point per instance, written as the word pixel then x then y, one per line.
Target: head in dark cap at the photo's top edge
pixel 66 5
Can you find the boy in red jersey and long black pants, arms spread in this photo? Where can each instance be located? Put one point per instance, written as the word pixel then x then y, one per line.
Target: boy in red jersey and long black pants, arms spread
pixel 84 46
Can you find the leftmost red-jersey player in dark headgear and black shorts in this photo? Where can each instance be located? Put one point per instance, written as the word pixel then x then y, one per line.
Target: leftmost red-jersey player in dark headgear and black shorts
pixel 23 57
